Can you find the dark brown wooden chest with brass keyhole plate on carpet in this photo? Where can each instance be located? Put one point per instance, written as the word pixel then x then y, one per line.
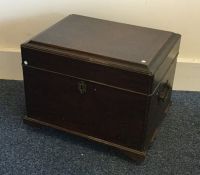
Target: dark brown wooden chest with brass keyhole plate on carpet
pixel 102 80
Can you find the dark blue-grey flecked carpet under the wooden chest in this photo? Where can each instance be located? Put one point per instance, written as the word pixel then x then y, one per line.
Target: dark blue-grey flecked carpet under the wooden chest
pixel 26 150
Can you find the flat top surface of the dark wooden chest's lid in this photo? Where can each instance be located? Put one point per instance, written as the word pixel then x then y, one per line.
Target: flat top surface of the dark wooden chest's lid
pixel 132 46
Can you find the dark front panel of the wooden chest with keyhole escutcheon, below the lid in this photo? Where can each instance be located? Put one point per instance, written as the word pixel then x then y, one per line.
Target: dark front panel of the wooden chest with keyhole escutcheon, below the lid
pixel 97 110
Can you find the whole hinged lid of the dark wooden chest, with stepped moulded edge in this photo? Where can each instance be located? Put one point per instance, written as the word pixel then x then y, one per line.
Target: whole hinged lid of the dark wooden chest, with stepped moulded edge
pixel 119 55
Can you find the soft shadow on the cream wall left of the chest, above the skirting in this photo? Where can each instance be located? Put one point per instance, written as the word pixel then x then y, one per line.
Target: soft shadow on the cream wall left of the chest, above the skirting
pixel 15 32
